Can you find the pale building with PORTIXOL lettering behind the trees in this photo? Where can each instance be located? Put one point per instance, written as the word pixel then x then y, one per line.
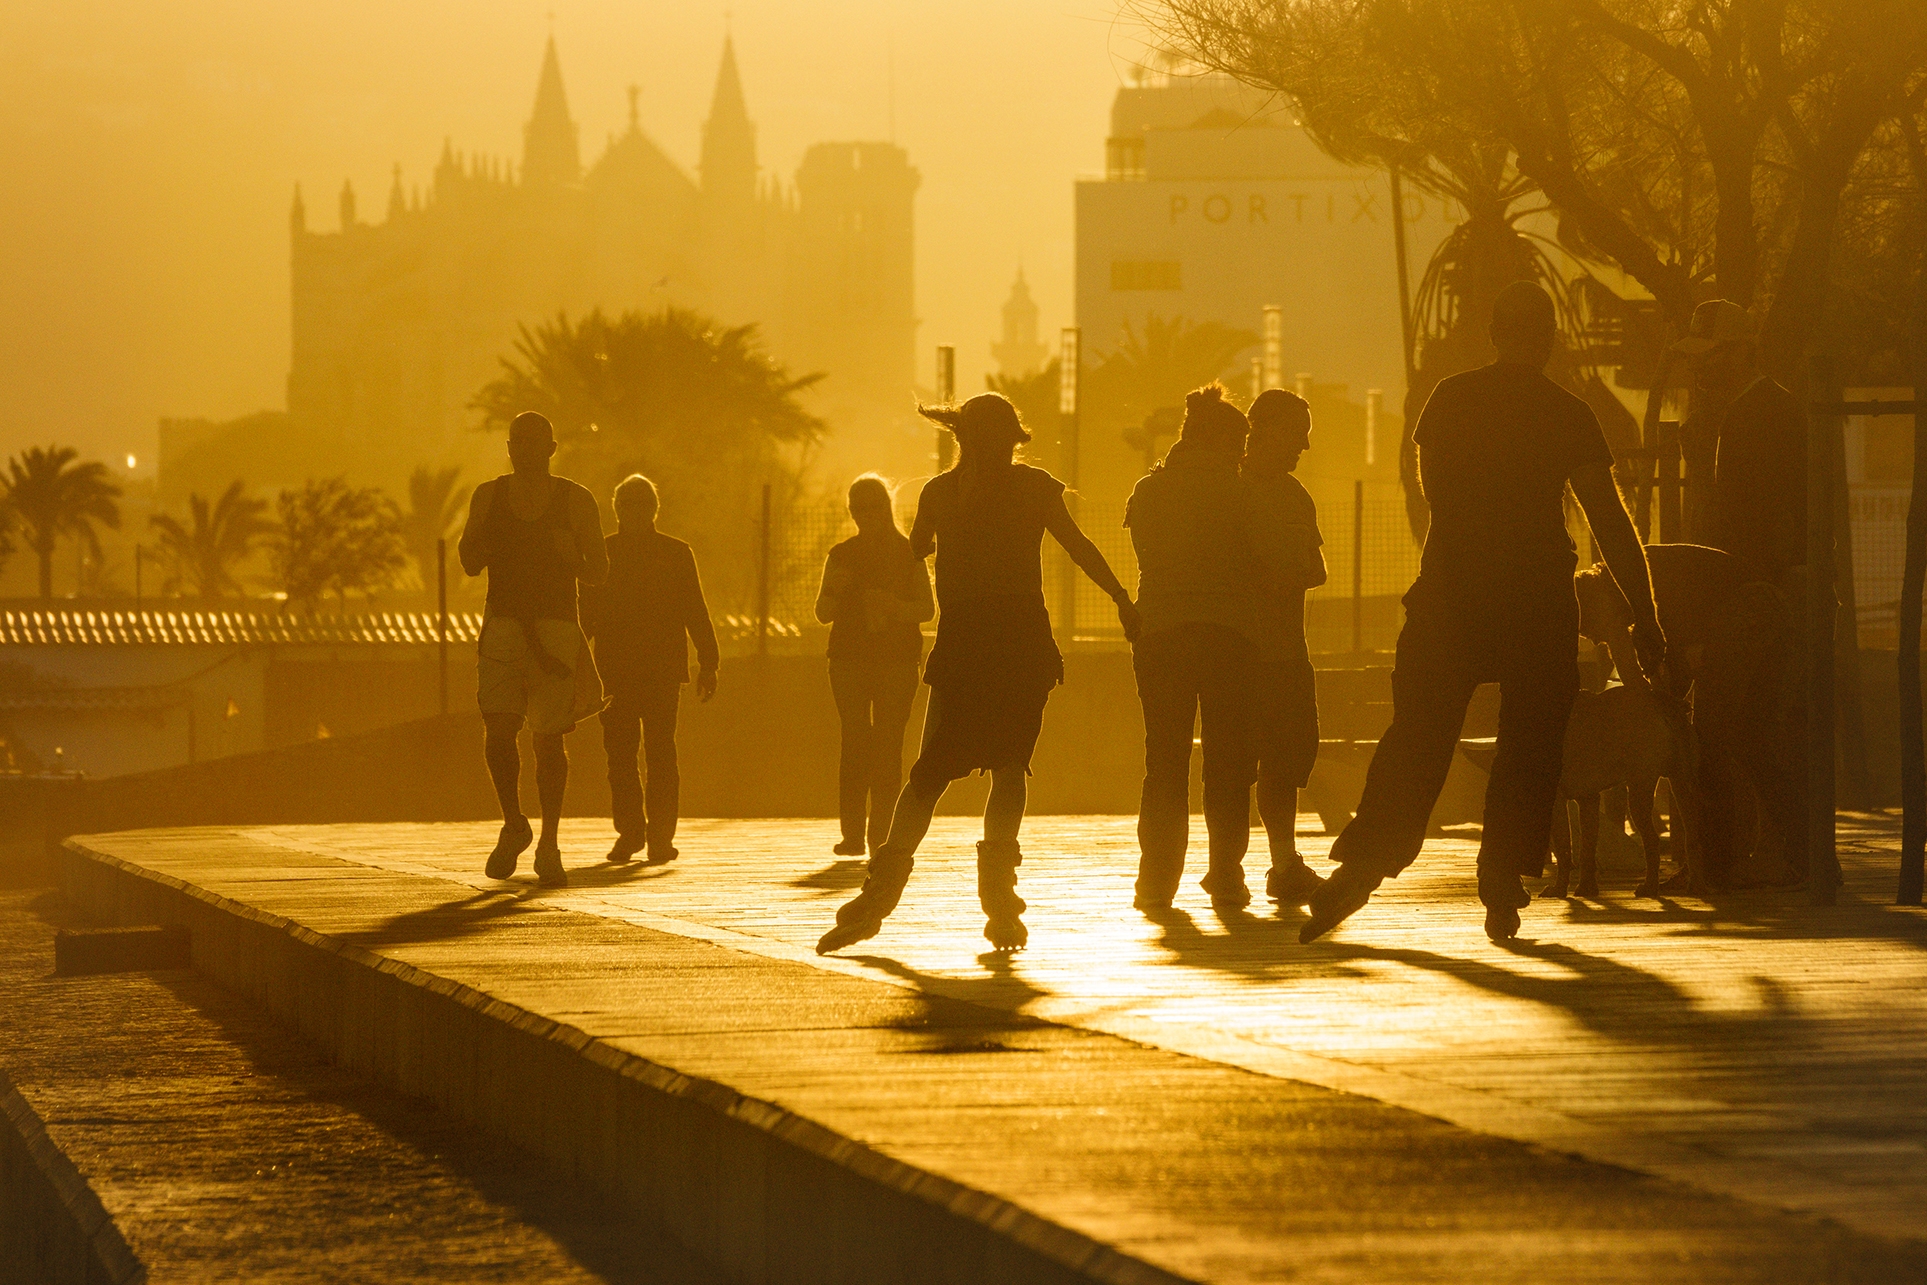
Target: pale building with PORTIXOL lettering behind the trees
pixel 1215 205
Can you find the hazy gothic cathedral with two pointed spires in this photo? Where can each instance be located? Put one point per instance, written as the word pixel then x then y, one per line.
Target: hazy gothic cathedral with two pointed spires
pixel 396 325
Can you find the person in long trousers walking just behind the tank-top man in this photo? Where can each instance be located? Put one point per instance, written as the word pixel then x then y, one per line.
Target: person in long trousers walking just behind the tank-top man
pixel 645 619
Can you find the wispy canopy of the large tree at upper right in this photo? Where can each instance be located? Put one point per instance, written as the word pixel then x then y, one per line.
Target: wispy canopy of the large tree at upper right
pixel 1703 149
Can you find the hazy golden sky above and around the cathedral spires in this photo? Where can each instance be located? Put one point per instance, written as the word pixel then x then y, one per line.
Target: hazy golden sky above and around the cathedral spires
pixel 149 151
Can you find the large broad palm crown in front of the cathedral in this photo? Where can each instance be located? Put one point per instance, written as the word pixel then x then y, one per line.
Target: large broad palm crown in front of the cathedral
pixel 697 406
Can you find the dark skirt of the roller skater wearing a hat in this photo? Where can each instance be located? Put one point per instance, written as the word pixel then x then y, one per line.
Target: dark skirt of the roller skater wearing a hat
pixel 990 673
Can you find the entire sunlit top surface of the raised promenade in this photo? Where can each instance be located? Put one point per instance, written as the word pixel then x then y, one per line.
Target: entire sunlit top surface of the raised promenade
pixel 1637 1091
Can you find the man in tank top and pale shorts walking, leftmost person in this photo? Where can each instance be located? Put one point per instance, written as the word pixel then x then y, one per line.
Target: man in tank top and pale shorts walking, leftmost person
pixel 535 535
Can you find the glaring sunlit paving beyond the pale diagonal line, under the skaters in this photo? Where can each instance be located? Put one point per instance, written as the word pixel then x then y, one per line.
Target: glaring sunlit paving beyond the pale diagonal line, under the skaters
pixel 1758 1047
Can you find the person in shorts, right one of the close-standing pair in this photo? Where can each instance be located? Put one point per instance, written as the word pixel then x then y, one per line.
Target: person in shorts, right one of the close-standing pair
pixel 1286 689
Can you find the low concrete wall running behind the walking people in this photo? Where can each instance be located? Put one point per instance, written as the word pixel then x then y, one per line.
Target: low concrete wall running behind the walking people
pixel 764 748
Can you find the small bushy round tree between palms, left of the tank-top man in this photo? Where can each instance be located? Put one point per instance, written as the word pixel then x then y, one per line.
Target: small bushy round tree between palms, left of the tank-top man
pixel 334 538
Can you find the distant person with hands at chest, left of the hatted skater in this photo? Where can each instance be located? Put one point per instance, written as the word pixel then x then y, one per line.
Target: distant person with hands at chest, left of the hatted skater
pixel 876 596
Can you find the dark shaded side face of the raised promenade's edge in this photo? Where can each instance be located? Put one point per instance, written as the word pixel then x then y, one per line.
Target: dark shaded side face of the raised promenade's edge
pixel 758 1192
